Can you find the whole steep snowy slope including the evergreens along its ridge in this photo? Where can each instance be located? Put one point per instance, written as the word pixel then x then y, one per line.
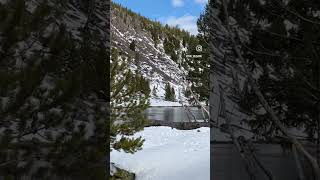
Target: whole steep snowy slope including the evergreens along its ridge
pixel 151 55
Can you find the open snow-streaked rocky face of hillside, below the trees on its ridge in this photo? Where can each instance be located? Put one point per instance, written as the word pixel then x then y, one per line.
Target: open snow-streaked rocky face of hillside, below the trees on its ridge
pixel 154 64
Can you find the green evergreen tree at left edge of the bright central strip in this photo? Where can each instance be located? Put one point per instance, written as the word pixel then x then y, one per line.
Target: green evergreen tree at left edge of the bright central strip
pixel 129 99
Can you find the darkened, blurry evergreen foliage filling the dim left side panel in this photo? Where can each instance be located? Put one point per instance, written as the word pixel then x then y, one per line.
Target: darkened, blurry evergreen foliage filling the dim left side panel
pixel 54 89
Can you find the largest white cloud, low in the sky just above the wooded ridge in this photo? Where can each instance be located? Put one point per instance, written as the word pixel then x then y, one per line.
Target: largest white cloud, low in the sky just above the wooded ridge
pixel 186 22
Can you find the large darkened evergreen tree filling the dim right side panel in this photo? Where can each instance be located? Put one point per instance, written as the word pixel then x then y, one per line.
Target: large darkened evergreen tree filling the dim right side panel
pixel 276 40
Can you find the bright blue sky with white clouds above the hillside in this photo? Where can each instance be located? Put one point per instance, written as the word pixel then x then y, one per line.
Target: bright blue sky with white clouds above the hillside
pixel 183 13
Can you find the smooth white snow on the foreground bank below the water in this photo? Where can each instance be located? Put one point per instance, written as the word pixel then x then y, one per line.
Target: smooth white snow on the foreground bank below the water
pixel 169 154
